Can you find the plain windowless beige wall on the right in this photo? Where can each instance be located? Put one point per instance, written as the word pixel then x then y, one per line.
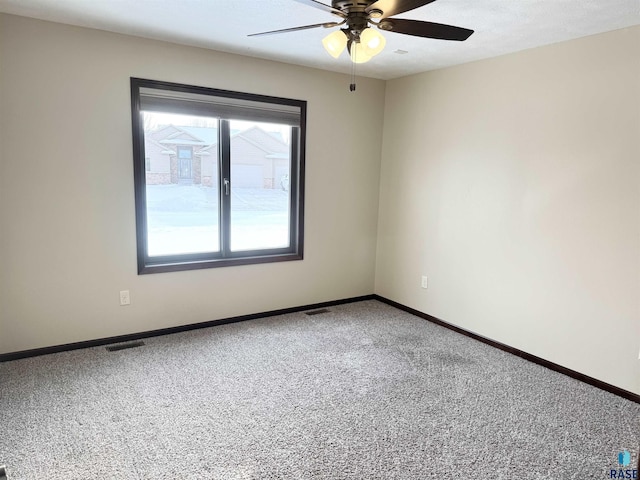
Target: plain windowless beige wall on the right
pixel 514 184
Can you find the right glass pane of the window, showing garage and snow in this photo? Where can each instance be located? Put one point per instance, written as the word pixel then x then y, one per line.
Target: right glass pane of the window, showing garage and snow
pixel 260 193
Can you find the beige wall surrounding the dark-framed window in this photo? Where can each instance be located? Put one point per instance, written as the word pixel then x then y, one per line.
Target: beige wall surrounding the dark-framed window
pixel 66 193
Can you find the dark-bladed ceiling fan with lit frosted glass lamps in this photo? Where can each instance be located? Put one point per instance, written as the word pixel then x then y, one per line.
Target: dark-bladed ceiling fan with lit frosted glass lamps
pixel 357 16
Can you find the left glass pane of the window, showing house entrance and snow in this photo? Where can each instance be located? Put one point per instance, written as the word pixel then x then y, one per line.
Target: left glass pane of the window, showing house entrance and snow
pixel 181 183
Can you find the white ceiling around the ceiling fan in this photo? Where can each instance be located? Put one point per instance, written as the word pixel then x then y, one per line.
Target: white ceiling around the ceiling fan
pixel 501 26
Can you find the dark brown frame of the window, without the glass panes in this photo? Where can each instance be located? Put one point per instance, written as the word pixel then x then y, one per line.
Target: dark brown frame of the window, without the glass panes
pixel 225 257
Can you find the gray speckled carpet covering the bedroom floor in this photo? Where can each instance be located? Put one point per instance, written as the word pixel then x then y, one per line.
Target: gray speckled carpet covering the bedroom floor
pixel 363 392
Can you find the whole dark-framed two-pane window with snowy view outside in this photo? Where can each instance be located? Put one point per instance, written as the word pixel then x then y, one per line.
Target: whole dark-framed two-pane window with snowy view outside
pixel 219 177
